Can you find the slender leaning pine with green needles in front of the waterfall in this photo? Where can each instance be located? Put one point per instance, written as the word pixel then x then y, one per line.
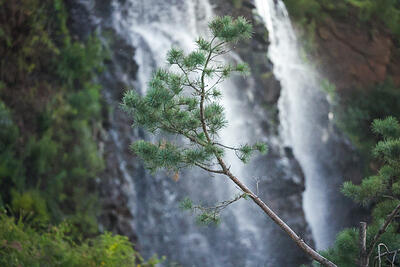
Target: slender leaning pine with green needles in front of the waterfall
pixel 185 104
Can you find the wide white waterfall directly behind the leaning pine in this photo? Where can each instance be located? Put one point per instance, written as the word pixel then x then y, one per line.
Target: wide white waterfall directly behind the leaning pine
pixel 246 237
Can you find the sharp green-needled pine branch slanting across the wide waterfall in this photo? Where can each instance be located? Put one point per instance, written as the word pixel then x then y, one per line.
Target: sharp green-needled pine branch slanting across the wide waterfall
pixel 208 119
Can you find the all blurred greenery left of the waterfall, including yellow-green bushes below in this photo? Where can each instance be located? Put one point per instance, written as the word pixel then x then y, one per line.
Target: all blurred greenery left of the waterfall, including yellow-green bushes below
pixel 50 117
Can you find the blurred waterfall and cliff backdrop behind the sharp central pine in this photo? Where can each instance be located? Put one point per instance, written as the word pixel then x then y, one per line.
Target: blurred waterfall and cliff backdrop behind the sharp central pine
pixel 321 71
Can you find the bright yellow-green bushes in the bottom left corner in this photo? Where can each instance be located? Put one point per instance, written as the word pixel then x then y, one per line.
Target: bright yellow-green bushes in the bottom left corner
pixel 21 245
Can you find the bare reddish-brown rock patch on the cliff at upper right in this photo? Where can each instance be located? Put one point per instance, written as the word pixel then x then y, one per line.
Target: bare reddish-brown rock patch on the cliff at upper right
pixel 354 56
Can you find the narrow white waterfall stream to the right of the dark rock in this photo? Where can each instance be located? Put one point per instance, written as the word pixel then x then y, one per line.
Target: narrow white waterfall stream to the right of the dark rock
pixel 305 116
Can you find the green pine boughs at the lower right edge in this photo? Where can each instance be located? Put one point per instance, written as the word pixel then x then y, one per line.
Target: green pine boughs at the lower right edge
pixel 380 191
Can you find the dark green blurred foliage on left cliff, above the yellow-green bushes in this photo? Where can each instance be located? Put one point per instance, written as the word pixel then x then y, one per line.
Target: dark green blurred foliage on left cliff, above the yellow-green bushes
pixel 49 162
